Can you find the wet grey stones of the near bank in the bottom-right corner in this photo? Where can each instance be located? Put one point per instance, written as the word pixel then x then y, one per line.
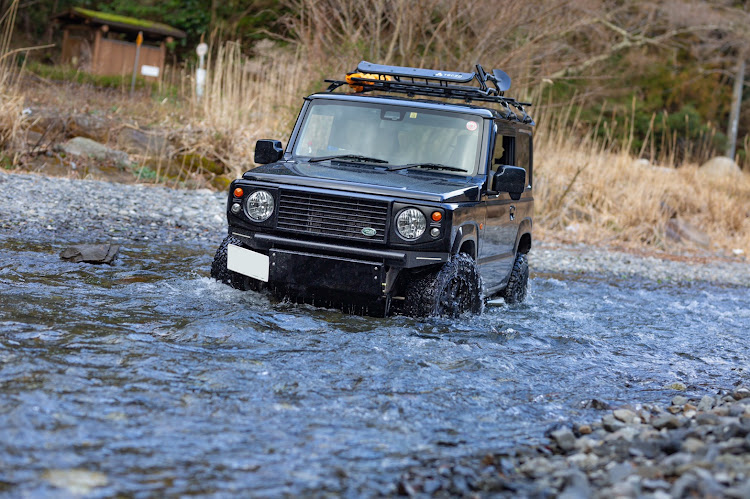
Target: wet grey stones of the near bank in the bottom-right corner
pixel 691 448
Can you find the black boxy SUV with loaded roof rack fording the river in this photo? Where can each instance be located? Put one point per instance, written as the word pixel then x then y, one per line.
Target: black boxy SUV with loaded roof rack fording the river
pixel 383 202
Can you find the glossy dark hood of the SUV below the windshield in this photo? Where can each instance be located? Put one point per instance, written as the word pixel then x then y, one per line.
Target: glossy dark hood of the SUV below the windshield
pixel 369 179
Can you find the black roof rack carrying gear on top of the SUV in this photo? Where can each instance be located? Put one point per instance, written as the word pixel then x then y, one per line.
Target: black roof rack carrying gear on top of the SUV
pixel 371 77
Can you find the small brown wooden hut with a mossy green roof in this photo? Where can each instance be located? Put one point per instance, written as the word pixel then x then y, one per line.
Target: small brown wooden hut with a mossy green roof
pixel 105 44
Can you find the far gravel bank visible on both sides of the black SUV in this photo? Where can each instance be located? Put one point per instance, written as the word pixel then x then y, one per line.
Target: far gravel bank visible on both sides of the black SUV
pixel 95 211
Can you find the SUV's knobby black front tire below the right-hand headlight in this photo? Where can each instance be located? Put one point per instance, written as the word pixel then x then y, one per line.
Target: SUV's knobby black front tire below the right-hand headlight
pixel 453 289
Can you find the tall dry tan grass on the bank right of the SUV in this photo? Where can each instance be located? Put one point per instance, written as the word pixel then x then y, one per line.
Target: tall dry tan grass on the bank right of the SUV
pixel 590 191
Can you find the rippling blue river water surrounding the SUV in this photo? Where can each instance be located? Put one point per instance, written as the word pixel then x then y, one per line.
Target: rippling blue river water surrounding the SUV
pixel 149 378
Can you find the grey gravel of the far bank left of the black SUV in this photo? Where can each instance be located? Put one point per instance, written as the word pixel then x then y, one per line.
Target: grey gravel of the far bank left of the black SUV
pixel 60 209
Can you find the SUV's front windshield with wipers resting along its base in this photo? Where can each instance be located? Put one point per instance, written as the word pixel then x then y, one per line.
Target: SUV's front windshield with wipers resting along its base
pixel 394 134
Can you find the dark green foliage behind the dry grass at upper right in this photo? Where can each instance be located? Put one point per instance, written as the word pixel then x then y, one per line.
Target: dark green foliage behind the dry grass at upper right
pixel 673 109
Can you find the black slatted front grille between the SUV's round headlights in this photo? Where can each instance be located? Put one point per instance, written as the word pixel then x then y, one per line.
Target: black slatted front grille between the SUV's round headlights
pixel 333 216
